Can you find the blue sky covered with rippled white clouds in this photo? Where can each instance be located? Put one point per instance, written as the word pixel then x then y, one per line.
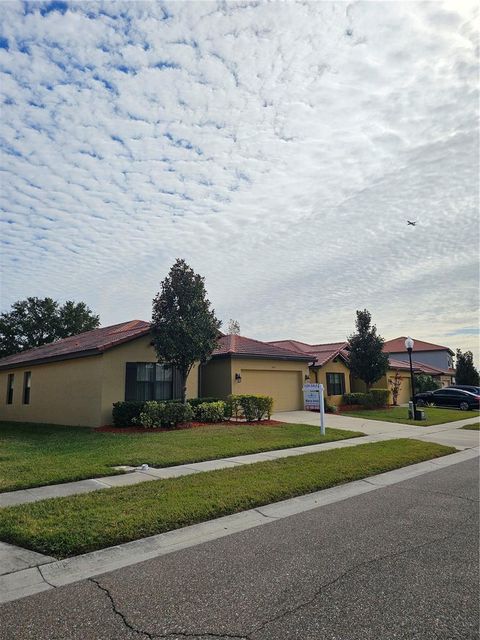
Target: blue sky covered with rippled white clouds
pixel 279 148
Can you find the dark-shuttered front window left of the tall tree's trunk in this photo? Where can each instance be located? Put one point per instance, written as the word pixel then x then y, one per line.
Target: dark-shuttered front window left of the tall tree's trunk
pixel 151 381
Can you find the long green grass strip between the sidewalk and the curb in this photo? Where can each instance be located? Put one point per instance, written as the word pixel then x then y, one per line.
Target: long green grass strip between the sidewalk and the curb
pixel 68 526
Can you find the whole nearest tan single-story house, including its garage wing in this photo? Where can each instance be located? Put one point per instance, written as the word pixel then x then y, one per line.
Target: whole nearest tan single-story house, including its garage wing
pixel 75 381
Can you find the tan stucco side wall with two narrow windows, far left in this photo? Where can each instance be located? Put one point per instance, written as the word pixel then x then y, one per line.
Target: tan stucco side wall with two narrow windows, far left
pixel 66 392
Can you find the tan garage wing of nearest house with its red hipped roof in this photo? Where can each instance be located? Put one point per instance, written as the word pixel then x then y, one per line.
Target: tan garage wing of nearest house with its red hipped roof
pixel 241 365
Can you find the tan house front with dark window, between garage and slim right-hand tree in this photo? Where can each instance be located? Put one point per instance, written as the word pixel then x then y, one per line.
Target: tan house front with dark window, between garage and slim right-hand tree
pixel 328 365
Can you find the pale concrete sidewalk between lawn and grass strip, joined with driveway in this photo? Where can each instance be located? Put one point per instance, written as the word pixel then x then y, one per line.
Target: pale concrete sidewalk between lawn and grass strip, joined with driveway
pixel 448 434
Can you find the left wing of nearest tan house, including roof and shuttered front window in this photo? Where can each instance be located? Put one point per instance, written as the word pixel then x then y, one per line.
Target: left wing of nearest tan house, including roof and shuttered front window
pixel 76 380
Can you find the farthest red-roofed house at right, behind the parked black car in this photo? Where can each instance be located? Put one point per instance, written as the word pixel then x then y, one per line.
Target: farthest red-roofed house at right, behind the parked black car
pixel 435 359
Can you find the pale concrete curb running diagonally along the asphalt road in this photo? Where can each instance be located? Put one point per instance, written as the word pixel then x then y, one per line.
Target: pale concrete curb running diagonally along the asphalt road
pixel 59 573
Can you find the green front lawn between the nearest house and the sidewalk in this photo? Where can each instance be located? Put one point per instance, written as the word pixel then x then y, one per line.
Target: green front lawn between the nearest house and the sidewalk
pixel 33 454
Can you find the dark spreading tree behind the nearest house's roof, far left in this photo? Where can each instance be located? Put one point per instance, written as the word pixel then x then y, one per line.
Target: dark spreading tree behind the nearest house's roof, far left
pixel 35 321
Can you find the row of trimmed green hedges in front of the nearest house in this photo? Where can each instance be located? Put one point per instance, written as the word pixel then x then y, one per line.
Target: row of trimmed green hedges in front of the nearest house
pixel 172 412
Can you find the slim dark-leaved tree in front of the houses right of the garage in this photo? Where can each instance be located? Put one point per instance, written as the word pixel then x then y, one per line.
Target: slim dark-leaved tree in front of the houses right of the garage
pixel 366 358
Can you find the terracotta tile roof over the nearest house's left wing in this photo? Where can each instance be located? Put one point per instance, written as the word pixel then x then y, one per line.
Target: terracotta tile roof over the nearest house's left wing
pixel 87 343
